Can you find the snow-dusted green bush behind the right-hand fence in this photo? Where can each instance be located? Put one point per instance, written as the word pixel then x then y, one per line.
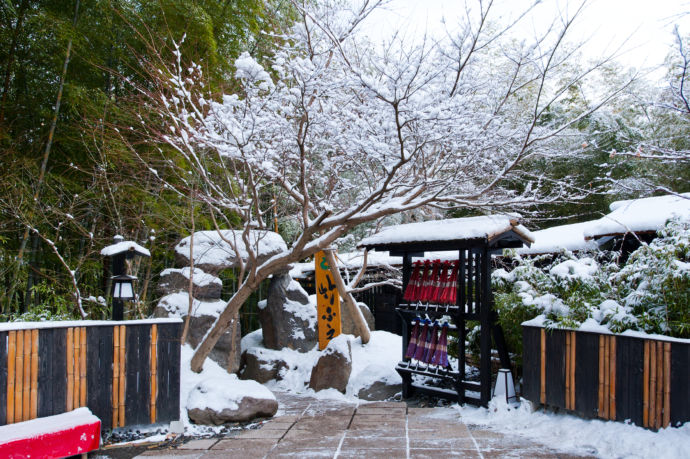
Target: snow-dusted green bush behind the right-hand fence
pixel 650 292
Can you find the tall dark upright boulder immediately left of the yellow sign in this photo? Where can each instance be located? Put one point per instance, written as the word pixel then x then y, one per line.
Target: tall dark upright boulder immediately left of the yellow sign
pixel 288 318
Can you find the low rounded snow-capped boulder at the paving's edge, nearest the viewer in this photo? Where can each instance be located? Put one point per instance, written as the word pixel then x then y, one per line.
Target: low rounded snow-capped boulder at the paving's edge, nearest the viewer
pixel 217 401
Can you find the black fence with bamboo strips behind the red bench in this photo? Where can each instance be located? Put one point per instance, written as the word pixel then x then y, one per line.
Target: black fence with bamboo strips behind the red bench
pixel 127 373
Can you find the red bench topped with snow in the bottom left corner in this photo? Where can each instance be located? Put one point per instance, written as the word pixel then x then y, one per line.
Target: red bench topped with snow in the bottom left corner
pixel 67 434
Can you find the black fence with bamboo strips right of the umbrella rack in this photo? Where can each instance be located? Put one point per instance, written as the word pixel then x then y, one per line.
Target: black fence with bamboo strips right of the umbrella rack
pixel 608 376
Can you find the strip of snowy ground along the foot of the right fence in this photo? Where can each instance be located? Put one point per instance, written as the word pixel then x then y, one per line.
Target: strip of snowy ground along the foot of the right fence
pixel 564 432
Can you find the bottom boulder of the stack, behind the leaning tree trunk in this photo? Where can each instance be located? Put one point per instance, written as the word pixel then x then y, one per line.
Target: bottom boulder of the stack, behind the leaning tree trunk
pixel 227 351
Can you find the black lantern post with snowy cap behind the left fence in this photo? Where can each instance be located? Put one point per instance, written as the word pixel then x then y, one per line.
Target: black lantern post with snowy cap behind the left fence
pixel 122 283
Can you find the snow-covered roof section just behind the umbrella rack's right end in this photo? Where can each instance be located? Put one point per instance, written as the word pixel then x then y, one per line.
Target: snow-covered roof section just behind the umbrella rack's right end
pixel 563 237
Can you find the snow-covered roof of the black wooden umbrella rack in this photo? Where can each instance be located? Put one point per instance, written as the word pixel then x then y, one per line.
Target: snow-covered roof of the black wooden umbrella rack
pixel 490 227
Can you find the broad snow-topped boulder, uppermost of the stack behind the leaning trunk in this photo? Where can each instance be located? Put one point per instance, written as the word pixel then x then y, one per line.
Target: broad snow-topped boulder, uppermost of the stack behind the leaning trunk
pixel 212 253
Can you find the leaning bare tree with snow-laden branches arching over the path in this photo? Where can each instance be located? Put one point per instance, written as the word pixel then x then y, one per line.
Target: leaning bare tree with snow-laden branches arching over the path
pixel 338 133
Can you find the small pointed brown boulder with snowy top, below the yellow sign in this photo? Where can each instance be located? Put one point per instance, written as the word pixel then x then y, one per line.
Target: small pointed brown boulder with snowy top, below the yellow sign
pixel 332 370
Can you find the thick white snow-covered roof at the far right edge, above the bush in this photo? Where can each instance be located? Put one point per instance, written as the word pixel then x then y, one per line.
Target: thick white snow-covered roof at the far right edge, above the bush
pixel 640 215
